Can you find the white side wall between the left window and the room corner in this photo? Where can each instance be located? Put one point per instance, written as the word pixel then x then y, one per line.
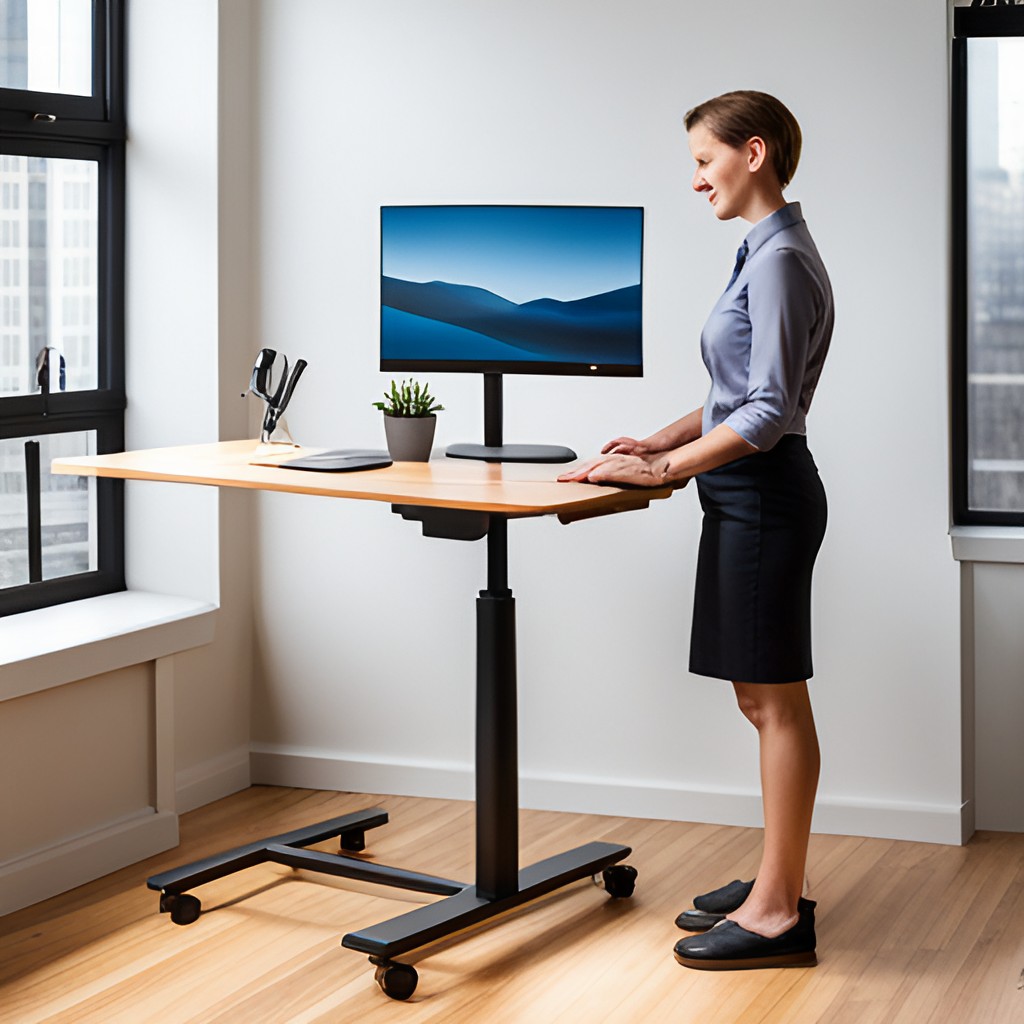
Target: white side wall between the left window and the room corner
pixel 190 352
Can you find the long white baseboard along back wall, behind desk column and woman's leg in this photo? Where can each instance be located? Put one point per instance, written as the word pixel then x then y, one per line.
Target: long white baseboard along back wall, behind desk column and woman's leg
pixel 274 765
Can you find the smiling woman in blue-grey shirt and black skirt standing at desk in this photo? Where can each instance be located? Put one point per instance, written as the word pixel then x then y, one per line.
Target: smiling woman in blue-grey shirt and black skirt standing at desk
pixel 764 511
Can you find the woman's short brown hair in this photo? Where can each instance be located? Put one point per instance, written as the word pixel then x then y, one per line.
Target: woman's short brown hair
pixel 737 117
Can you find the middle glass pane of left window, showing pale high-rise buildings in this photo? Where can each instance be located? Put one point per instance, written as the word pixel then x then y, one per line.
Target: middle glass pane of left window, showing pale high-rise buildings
pixel 49 265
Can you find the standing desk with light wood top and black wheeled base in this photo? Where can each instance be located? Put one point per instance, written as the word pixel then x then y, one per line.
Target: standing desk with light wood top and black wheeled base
pixel 458 500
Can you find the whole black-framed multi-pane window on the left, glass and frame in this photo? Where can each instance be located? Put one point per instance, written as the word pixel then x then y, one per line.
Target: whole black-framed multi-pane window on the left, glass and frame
pixel 62 297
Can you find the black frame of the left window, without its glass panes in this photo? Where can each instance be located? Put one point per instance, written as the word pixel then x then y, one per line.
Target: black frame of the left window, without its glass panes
pixel 59 126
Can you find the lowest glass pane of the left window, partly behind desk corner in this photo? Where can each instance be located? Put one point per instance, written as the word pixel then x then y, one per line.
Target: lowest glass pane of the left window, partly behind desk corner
pixel 68 510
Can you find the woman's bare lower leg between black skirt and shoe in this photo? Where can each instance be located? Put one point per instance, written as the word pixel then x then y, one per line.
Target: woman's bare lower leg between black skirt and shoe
pixel 790 766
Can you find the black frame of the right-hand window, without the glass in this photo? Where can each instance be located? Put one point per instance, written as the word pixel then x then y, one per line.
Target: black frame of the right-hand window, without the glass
pixel 978 22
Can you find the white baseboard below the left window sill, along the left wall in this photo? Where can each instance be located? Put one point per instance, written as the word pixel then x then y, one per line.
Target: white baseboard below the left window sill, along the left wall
pixel 74 862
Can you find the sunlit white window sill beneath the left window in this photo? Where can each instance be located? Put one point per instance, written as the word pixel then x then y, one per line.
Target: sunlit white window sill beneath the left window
pixel 63 645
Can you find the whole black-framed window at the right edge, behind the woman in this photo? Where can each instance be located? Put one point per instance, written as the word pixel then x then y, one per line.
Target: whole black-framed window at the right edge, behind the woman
pixel 989 265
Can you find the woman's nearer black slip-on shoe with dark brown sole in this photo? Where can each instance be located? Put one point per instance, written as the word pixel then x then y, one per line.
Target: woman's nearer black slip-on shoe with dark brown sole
pixel 730 948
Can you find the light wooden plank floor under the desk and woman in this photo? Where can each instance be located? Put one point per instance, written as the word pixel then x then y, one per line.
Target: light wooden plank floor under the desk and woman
pixel 908 932
